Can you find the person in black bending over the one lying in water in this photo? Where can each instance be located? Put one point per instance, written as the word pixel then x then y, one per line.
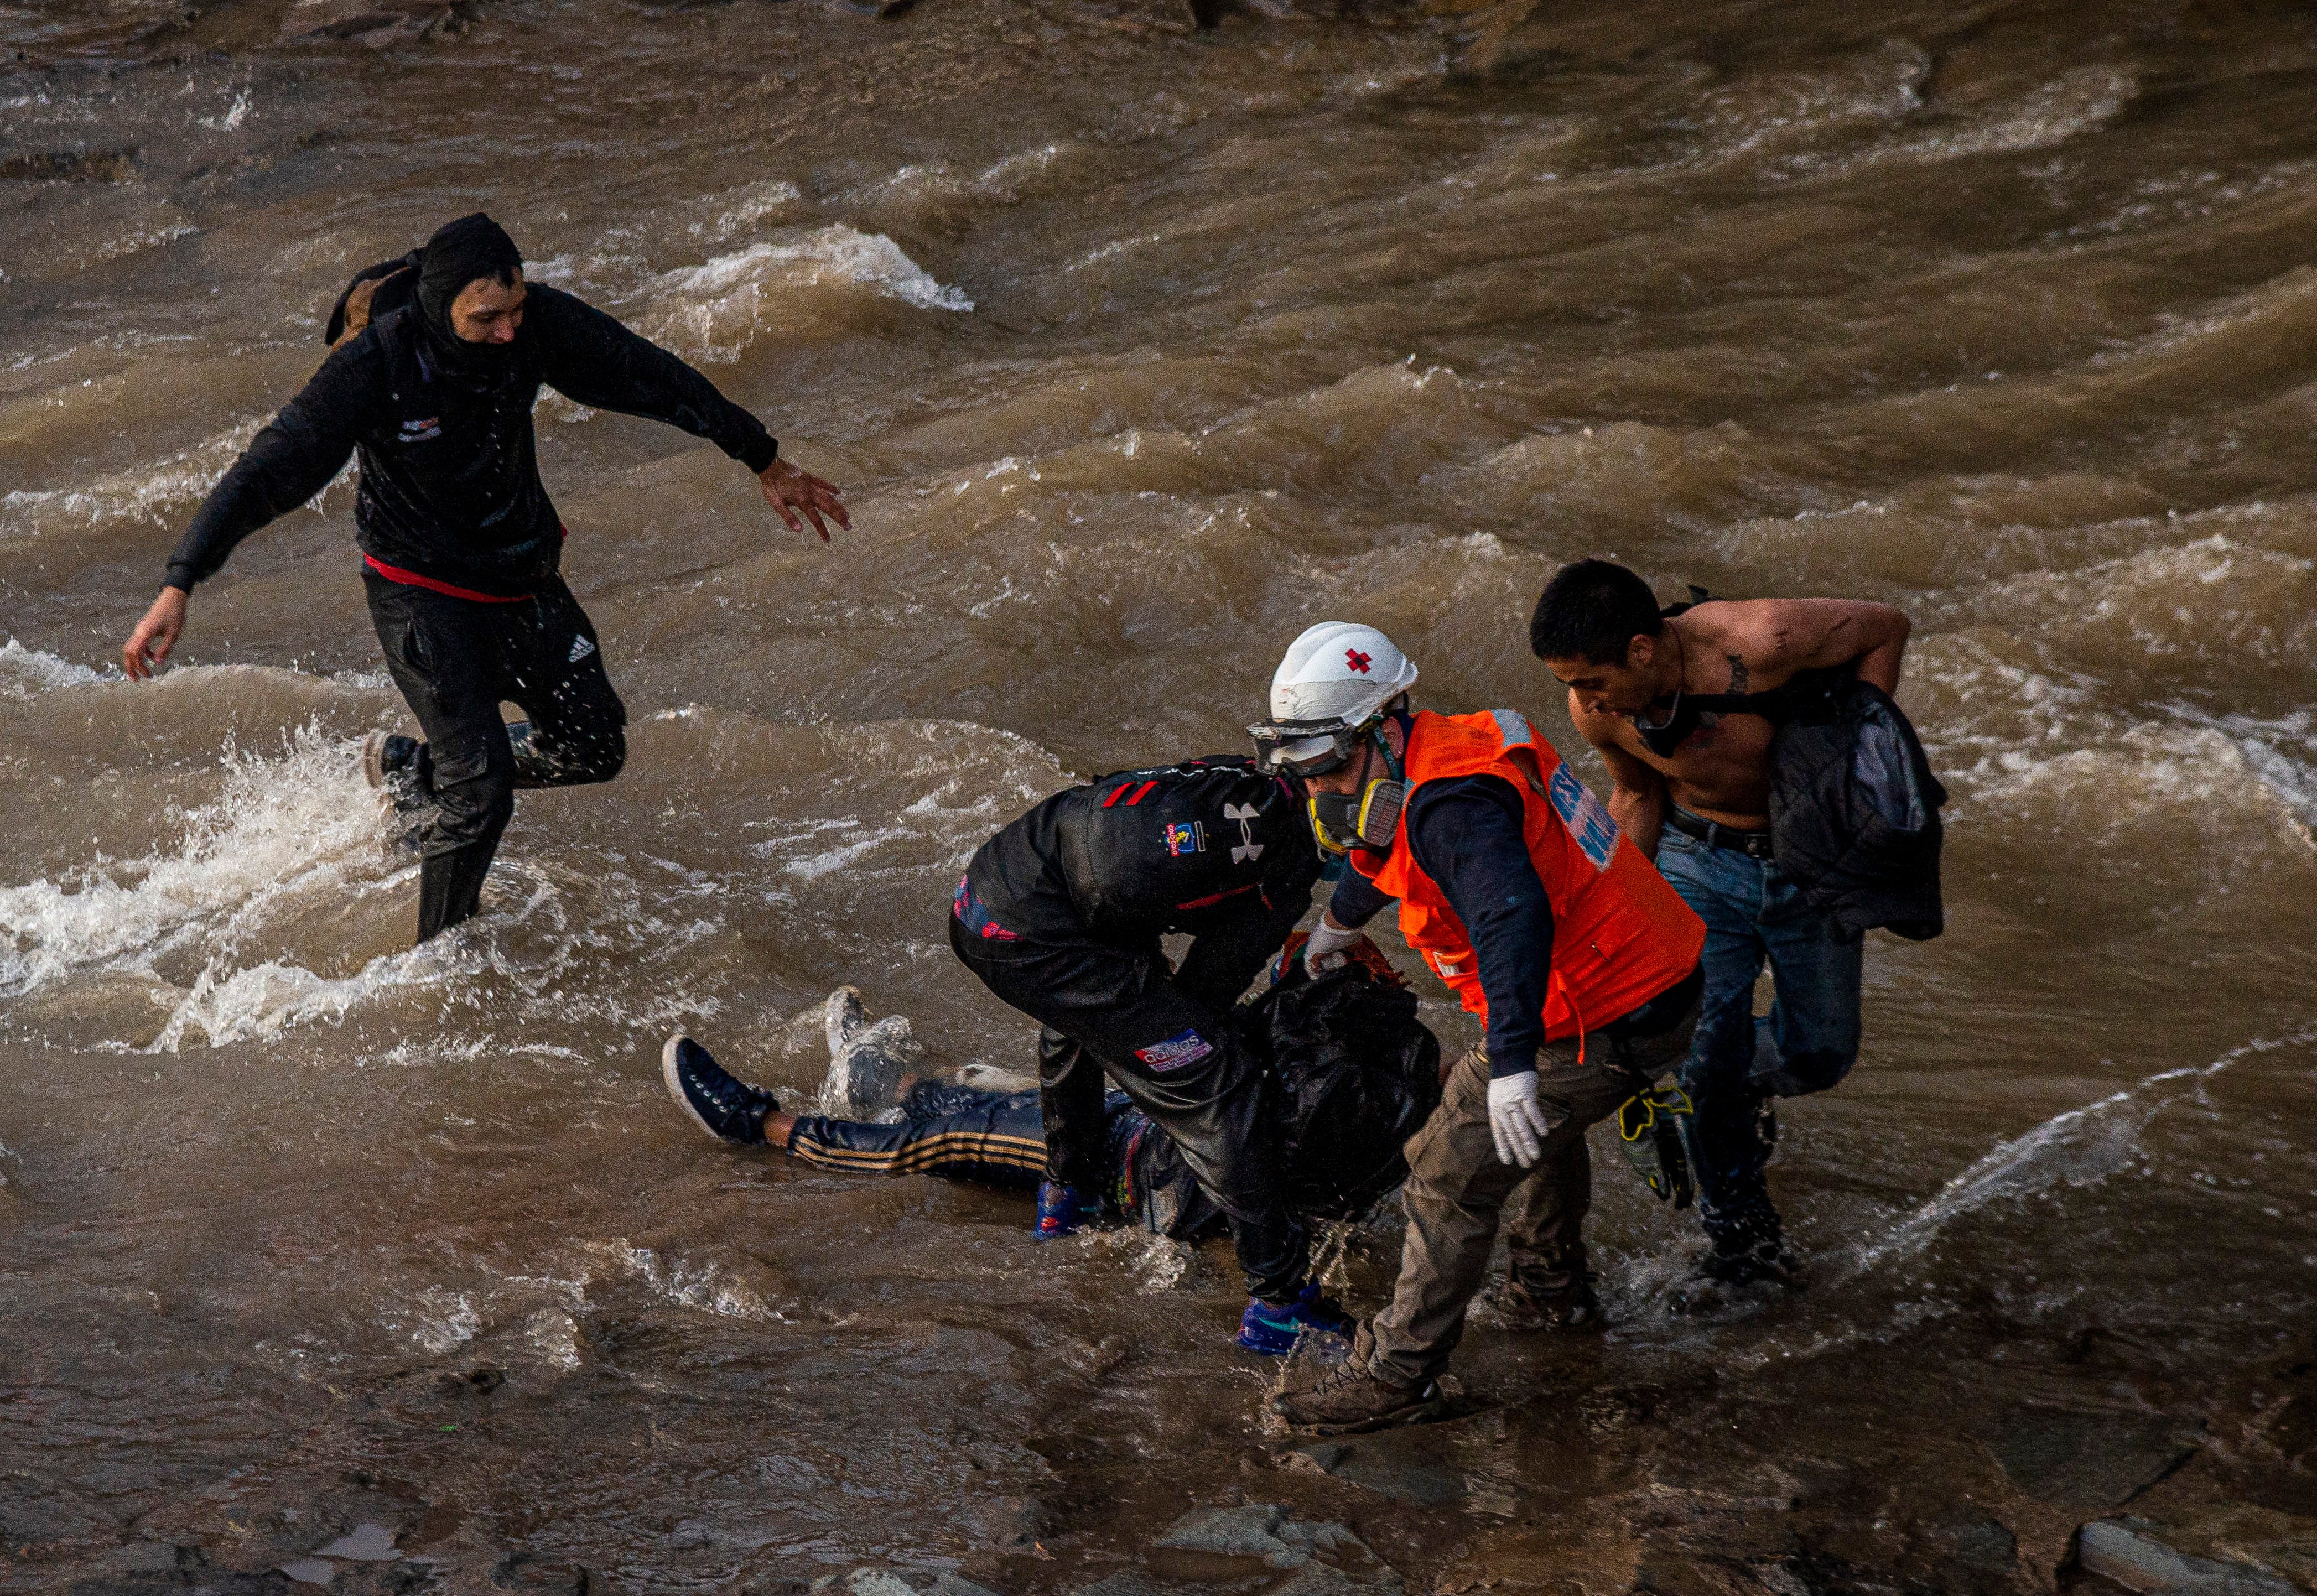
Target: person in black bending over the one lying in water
pixel 1062 916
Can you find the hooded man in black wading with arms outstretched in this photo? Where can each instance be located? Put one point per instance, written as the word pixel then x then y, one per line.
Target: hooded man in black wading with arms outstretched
pixel 460 539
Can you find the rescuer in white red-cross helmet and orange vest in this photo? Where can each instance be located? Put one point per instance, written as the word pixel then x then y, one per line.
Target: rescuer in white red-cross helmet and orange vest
pixel 1521 893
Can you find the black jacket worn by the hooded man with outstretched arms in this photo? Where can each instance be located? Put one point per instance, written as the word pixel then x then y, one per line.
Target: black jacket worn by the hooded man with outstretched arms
pixel 451 481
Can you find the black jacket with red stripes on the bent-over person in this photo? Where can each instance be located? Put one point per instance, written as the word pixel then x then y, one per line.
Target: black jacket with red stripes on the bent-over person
pixel 1206 847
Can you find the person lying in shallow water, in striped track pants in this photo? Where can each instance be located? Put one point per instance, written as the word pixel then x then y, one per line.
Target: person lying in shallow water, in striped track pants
pixel 1352 1069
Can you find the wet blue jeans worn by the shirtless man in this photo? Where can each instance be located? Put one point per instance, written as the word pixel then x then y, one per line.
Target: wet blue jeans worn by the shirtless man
pixel 1806 1044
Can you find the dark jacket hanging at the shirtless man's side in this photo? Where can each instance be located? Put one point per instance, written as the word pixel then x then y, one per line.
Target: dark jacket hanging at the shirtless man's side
pixel 1855 812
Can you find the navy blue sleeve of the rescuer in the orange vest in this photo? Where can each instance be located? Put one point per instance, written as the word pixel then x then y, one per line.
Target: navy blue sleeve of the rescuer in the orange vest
pixel 1468 837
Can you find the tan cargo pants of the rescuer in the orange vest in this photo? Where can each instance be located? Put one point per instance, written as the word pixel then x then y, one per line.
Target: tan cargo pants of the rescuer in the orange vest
pixel 1459 1189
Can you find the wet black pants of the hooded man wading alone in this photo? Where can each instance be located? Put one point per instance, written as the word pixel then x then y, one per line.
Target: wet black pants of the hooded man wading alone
pixel 455 659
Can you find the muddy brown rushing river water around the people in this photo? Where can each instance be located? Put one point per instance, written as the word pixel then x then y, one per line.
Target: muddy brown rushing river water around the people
pixel 1136 356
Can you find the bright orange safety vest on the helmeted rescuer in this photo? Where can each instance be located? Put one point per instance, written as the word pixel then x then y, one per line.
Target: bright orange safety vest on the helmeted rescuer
pixel 1621 935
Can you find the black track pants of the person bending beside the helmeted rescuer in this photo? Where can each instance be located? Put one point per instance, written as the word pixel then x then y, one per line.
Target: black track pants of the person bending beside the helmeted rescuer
pixel 1169 1050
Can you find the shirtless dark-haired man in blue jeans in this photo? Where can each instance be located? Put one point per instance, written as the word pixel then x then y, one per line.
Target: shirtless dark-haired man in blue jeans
pixel 1683 710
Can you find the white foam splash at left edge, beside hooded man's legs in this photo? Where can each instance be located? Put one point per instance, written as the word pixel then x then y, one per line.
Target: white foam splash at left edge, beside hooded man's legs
pixel 279 828
